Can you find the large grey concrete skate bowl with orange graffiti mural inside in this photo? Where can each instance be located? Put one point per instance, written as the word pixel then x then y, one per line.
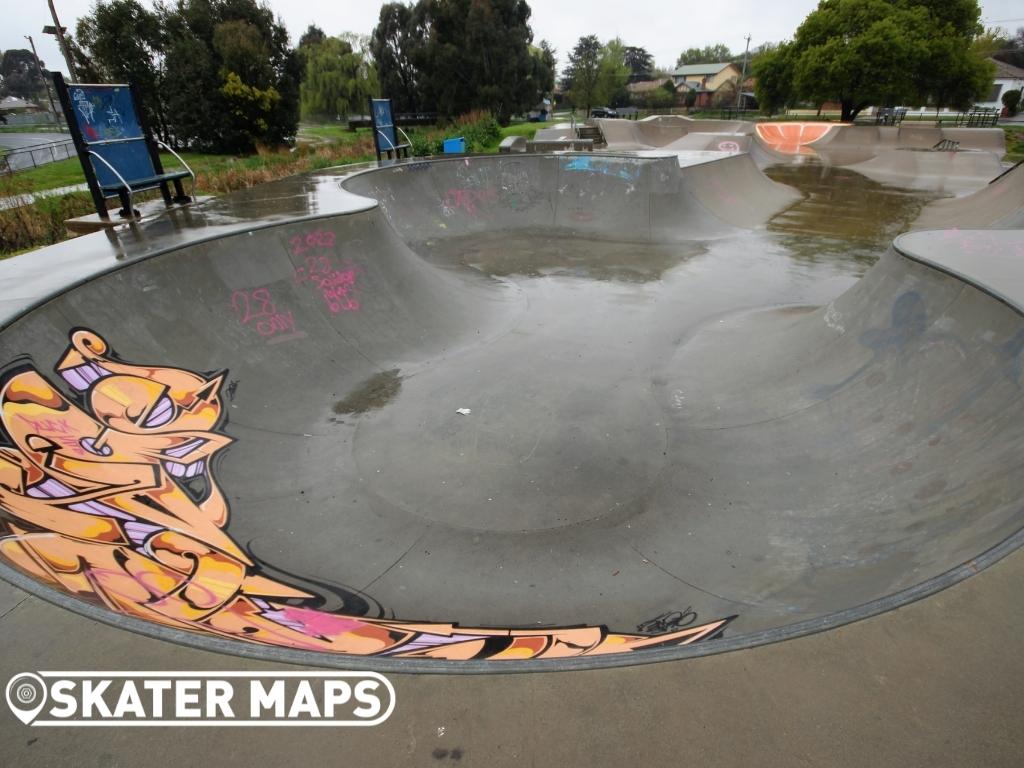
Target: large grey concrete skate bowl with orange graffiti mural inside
pixel 530 413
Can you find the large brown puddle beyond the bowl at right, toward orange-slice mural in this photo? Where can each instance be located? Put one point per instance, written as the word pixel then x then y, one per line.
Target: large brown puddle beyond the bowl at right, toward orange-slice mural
pixel 844 216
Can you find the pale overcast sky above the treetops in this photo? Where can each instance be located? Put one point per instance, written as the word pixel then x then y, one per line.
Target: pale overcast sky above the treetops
pixel 664 27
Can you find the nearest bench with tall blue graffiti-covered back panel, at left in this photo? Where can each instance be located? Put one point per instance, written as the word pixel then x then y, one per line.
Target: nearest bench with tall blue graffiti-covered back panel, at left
pixel 119 155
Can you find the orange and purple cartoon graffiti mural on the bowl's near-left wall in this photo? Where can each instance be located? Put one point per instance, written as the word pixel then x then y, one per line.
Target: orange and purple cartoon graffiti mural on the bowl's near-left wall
pixel 109 494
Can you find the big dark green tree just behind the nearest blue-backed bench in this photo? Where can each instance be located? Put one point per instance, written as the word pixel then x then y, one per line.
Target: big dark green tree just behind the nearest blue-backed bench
pixel 216 74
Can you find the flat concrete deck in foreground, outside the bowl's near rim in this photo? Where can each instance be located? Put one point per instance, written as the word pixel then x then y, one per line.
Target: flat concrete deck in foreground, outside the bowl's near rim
pixel 934 685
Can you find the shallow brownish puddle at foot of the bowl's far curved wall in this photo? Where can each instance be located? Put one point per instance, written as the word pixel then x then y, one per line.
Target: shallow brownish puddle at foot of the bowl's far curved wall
pixel 536 254
